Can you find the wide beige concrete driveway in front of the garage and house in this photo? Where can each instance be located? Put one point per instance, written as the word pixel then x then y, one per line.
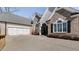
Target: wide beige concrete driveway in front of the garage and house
pixel 39 43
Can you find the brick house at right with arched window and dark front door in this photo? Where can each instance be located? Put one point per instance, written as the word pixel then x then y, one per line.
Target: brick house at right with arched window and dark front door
pixel 60 20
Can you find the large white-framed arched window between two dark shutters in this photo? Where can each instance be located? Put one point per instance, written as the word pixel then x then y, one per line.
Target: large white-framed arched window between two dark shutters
pixel 60 26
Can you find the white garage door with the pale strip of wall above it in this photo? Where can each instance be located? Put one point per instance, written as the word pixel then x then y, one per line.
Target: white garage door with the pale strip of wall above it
pixel 18 30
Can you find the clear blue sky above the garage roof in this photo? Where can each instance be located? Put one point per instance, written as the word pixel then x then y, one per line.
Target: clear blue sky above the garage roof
pixel 29 11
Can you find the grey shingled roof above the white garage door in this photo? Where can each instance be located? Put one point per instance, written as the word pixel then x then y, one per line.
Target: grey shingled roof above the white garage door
pixel 12 18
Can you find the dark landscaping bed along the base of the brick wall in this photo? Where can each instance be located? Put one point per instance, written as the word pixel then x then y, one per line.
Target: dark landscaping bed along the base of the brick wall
pixel 64 36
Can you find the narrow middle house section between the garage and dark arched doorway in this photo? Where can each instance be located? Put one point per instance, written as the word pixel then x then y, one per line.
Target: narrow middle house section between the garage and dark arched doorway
pixel 35 22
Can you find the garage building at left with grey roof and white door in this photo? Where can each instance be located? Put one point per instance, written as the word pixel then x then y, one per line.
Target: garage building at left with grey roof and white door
pixel 11 24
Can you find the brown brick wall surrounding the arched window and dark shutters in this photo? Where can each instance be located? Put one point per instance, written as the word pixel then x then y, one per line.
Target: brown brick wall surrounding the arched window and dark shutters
pixel 65 16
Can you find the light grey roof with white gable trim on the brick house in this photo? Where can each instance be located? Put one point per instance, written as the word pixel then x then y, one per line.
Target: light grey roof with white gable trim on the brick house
pixel 50 11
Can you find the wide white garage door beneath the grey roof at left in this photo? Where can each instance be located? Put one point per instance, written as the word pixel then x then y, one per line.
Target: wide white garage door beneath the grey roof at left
pixel 18 31
